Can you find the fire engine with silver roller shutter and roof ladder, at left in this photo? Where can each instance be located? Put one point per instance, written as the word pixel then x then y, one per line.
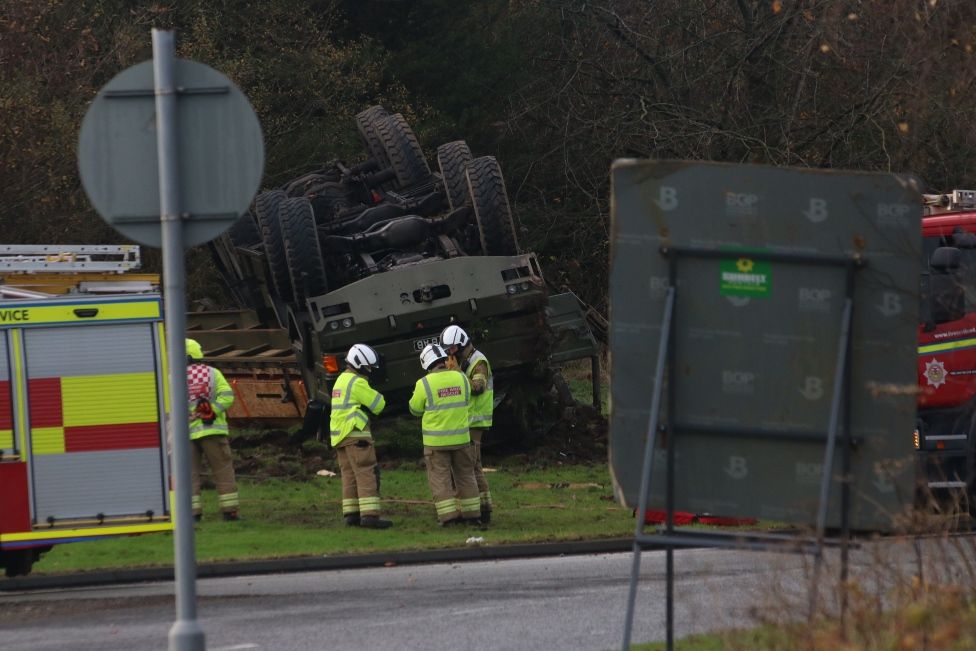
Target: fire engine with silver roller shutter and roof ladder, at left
pixel 83 446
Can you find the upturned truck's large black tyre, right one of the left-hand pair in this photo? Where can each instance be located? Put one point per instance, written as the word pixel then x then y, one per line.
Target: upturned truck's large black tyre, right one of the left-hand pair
pixel 306 265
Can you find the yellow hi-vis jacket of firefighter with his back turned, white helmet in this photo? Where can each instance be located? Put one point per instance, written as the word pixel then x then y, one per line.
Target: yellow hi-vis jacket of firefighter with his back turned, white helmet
pixel 443 397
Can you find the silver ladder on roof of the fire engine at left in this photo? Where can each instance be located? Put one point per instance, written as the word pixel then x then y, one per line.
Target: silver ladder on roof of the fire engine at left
pixel 69 258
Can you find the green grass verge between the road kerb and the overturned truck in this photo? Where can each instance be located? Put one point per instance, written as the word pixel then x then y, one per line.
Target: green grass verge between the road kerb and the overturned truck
pixel 303 518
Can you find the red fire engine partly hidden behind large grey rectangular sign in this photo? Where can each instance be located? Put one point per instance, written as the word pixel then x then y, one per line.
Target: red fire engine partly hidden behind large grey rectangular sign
pixel 946 433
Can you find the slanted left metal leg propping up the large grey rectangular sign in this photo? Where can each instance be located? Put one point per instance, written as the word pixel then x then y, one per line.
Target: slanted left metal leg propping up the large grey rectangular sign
pixel 652 424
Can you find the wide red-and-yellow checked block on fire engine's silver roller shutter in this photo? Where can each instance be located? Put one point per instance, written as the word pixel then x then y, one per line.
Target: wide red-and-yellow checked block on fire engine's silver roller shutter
pixel 94 412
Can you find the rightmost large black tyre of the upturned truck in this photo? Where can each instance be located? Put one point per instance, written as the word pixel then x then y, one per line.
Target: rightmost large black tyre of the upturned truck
pixel 491 208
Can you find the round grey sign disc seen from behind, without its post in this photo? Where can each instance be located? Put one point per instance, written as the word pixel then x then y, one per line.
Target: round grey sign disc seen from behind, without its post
pixel 221 153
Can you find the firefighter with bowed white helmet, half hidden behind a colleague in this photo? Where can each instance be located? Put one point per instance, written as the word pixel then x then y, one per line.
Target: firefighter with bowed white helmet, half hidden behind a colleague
pixel 474 364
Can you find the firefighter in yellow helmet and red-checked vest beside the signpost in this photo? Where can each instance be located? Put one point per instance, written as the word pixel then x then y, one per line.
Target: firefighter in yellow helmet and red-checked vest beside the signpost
pixel 210 398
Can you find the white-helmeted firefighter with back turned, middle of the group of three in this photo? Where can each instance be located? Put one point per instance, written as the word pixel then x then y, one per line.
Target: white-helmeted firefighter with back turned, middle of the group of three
pixel 442 397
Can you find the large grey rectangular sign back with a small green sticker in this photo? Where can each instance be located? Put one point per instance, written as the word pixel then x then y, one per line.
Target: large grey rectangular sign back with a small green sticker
pixel 755 341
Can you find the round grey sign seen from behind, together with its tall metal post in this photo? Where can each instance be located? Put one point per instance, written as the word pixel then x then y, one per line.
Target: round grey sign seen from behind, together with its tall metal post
pixel 171 154
